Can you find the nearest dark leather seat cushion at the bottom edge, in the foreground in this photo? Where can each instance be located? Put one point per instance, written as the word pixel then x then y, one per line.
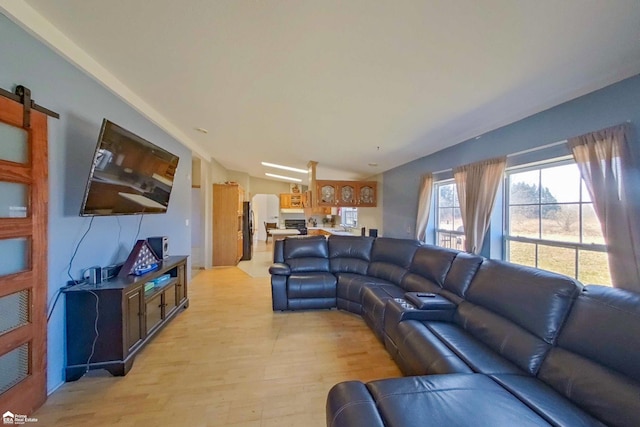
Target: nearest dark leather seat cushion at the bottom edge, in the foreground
pixel 449 400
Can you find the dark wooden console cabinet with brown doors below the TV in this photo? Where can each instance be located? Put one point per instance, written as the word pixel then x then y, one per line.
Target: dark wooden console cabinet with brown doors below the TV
pixel 128 318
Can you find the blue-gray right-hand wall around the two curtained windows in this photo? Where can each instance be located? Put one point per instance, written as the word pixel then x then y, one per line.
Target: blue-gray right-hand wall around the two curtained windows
pixel 606 107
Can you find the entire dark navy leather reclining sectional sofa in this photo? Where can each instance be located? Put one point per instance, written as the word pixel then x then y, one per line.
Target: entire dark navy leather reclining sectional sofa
pixel 483 342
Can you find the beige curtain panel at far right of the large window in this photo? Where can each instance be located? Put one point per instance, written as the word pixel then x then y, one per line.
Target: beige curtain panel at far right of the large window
pixel 606 166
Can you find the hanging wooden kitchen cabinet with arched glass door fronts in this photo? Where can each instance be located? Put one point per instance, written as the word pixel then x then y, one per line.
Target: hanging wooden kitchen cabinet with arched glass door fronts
pixel 346 193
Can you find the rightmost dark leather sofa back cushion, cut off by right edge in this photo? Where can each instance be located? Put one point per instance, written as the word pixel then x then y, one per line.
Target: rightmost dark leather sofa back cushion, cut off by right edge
pixel 595 363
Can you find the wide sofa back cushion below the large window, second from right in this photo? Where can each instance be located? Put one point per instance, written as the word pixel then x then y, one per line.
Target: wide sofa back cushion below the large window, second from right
pixel 517 311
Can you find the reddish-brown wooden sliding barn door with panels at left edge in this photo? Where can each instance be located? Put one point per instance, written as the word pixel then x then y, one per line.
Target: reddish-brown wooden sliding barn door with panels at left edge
pixel 23 257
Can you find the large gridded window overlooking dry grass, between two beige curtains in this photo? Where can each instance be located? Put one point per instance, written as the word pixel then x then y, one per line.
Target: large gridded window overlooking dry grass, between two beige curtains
pixel 550 223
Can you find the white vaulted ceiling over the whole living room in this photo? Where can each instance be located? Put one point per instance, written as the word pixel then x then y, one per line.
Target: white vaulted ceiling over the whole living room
pixel 342 82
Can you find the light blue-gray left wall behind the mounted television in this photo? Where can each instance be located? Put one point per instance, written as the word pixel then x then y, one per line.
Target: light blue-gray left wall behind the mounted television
pixel 82 103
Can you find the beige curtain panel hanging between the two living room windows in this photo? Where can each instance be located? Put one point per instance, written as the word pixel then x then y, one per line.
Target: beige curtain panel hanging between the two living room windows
pixel 477 185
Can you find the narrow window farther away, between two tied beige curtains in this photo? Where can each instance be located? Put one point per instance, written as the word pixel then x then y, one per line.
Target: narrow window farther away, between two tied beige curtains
pixel 449 229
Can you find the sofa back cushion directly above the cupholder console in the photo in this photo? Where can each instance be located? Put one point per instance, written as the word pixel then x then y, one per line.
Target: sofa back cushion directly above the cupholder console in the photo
pixel 428 269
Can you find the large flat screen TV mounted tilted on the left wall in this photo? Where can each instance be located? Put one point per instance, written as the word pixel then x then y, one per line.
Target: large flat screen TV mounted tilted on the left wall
pixel 129 175
